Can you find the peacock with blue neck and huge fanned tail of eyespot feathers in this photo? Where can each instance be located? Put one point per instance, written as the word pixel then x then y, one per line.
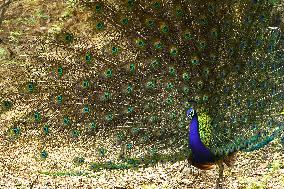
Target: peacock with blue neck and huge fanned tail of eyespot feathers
pixel 134 83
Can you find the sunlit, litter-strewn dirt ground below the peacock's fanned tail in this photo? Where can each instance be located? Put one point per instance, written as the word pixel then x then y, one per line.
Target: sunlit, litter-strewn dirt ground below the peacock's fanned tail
pixel 262 169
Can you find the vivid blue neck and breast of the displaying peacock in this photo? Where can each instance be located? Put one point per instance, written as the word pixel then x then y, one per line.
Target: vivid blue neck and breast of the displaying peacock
pixel 201 154
